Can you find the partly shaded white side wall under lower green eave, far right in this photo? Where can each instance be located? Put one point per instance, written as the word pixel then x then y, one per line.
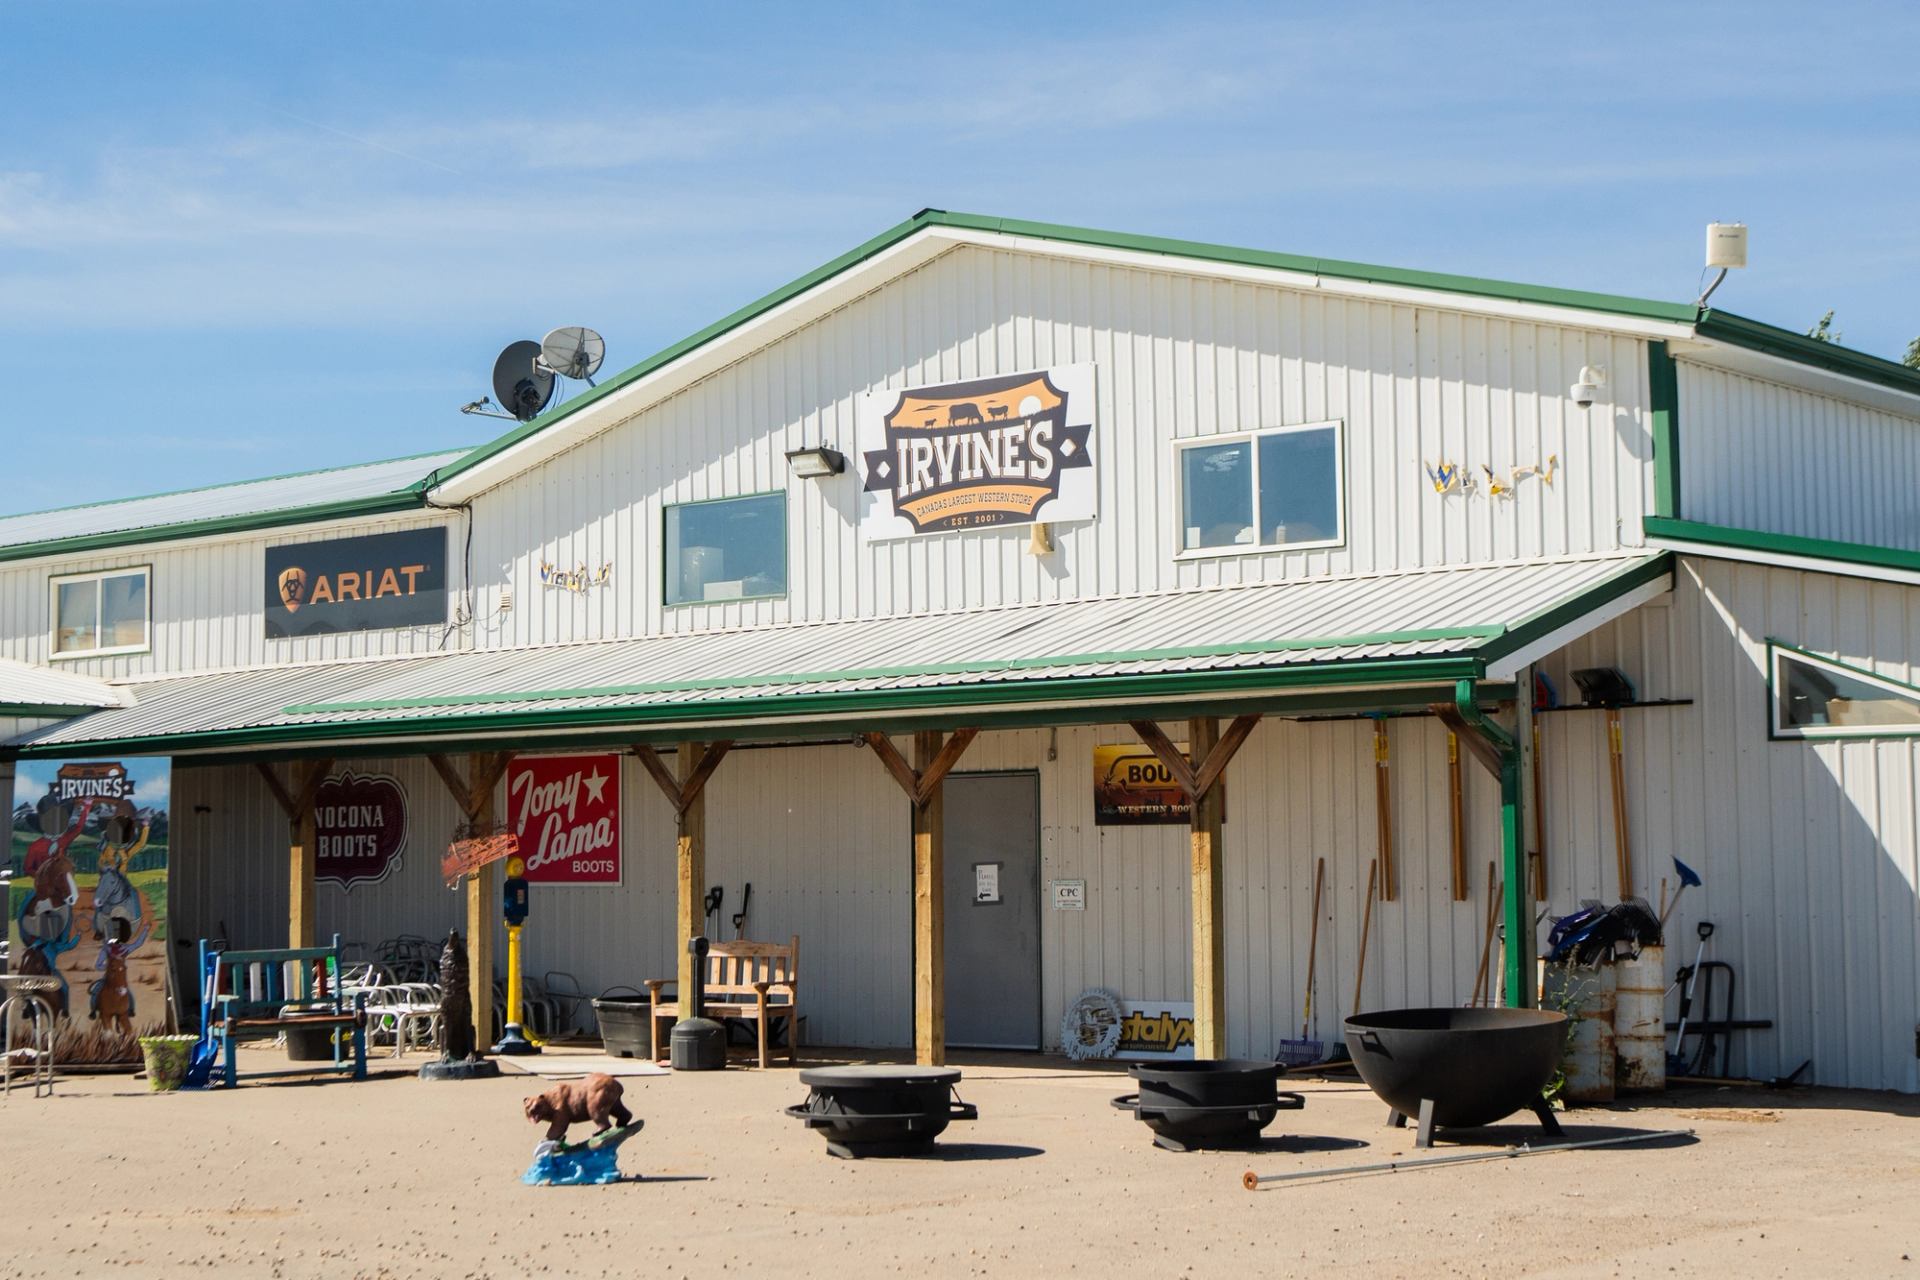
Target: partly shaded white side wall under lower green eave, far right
pixel 1810 851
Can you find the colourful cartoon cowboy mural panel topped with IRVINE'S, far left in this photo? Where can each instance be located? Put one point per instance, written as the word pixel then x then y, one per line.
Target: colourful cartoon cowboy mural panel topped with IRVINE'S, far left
pixel 87 903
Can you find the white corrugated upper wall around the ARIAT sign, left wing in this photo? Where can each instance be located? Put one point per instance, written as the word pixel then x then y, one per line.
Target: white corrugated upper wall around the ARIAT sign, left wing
pixel 208 605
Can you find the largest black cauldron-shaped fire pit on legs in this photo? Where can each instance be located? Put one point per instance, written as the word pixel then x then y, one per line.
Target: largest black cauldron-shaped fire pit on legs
pixel 1458 1068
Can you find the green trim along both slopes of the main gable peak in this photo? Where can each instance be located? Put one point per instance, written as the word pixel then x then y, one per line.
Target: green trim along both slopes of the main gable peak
pixel 1193 250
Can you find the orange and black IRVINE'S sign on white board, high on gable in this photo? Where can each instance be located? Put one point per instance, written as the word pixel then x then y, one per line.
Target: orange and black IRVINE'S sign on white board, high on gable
pixel 982 454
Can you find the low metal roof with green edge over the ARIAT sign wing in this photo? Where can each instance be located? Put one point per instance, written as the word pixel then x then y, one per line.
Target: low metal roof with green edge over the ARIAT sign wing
pixel 300 498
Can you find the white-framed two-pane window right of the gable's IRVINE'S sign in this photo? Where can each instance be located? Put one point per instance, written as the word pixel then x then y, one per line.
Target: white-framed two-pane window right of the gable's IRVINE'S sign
pixel 1282 488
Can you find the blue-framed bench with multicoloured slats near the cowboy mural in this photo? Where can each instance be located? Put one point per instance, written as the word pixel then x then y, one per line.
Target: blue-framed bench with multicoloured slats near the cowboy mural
pixel 252 993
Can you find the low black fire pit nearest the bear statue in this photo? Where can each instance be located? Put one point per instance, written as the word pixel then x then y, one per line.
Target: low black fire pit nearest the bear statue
pixel 882 1110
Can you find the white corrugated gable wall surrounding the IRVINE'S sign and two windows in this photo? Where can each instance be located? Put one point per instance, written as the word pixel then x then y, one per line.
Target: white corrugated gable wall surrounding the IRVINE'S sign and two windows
pixel 1176 356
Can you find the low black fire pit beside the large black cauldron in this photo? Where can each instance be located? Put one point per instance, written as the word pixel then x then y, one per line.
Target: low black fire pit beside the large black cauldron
pixel 1211 1102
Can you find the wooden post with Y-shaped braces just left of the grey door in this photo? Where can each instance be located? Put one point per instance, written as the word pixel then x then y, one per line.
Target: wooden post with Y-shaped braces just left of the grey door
pixel 923 780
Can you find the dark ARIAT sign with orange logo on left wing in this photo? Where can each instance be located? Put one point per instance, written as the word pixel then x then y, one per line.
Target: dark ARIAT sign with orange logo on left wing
pixel 358 584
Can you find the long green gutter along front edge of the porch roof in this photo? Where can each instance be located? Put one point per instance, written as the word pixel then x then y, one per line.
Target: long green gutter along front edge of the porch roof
pixel 798 707
